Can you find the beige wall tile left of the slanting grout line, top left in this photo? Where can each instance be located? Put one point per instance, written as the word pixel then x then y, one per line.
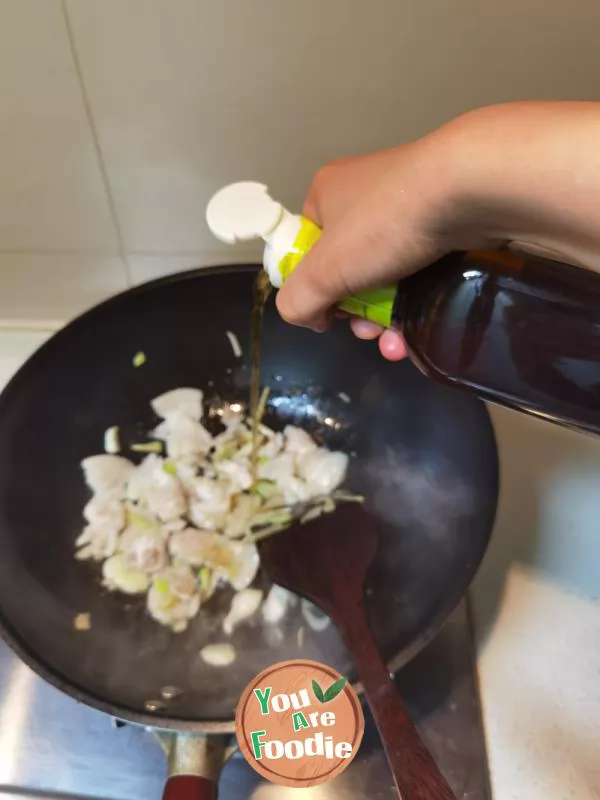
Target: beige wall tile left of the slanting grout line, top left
pixel 51 192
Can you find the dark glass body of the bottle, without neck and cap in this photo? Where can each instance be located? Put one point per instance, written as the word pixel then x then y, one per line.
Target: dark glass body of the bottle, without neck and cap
pixel 517 330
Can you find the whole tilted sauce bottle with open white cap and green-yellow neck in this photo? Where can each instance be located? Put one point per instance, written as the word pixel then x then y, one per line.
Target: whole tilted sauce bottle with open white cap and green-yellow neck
pixel 517 330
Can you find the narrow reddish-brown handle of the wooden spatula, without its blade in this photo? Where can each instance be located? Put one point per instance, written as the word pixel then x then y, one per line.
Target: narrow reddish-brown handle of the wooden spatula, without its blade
pixel 416 774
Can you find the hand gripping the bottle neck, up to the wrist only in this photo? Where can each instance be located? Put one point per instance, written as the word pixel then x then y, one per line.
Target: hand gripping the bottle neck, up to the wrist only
pixel 383 215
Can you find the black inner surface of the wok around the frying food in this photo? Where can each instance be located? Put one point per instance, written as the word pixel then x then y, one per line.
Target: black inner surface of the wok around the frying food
pixel 424 457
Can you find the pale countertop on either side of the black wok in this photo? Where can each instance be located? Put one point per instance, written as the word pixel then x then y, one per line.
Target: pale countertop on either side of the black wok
pixel 536 603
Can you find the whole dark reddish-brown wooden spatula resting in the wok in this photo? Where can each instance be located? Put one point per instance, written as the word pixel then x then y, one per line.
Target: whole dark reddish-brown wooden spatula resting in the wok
pixel 326 560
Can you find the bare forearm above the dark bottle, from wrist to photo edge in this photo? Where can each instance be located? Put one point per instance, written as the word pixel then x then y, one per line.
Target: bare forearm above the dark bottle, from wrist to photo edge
pixel 529 173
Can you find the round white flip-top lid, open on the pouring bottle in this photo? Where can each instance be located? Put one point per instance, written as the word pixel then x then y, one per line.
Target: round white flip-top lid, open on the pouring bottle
pixel 243 211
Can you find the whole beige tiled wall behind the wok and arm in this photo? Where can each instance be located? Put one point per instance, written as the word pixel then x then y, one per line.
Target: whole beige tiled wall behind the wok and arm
pixel 119 118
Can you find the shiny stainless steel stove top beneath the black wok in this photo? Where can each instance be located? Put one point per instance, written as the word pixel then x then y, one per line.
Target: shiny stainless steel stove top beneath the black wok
pixel 50 745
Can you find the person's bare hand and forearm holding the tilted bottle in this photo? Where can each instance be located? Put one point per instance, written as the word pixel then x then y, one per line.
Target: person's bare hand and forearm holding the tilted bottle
pixel 475 183
